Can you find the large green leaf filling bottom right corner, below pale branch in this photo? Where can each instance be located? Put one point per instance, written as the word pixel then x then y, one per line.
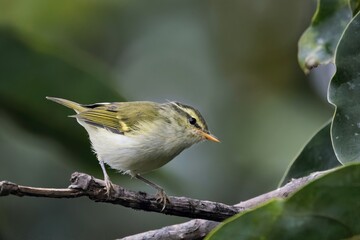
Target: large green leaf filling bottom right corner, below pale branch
pixel 326 208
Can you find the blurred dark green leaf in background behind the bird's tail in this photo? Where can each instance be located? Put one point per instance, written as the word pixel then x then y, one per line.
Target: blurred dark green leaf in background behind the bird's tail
pixel 31 70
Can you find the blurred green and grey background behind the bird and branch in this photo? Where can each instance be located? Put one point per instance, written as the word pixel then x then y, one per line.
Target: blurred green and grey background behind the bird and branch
pixel 233 60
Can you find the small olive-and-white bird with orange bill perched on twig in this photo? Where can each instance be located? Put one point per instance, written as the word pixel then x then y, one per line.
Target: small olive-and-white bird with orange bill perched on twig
pixel 137 137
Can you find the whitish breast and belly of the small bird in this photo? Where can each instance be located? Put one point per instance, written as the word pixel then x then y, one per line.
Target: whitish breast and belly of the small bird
pixel 136 153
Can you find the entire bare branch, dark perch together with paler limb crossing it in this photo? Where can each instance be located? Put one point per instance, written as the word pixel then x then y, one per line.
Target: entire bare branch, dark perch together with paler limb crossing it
pixel 86 185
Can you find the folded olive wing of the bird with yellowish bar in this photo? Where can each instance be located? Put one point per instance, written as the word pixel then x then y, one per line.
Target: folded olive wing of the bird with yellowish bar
pixel 119 118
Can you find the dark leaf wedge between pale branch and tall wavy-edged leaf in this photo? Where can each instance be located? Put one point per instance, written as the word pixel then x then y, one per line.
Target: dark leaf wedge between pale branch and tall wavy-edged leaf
pixel 317 155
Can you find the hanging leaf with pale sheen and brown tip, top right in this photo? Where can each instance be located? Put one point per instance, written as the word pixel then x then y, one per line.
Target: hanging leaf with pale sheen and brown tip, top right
pixel 318 43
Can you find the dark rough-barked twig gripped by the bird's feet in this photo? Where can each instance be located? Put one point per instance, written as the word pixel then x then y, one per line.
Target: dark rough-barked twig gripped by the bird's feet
pixel 86 185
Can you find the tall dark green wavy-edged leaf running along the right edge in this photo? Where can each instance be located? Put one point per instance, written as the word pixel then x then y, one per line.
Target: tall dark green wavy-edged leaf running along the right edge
pixel 344 93
